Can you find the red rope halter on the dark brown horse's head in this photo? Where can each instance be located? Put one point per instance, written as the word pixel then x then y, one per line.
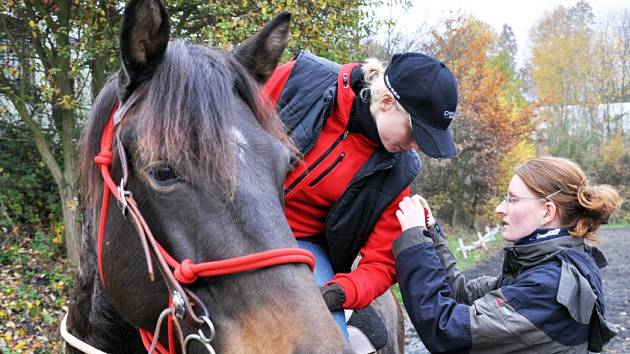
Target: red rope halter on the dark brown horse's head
pixel 185 272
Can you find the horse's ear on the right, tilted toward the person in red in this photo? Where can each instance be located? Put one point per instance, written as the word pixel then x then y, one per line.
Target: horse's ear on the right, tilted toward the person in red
pixel 261 52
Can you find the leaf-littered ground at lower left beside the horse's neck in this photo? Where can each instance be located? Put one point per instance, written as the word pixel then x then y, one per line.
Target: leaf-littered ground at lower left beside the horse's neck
pixel 34 286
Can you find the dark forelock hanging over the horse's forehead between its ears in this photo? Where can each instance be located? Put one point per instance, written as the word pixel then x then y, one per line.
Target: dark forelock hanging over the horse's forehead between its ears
pixel 186 113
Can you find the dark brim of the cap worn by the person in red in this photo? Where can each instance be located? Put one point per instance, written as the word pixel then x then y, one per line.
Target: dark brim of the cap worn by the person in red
pixel 436 143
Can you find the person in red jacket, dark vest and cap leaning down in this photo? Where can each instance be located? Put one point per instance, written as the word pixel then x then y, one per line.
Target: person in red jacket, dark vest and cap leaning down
pixel 358 127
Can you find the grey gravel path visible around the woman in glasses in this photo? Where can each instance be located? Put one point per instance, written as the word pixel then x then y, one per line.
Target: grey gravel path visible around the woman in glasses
pixel 615 243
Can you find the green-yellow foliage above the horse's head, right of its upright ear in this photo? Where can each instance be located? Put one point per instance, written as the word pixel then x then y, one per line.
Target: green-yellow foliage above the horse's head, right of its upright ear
pixel 329 28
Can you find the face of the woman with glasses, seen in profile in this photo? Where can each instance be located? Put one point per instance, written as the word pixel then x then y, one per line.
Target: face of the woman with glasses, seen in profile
pixel 522 211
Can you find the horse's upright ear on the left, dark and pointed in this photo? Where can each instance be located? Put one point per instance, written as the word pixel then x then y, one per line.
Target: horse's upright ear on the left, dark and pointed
pixel 144 37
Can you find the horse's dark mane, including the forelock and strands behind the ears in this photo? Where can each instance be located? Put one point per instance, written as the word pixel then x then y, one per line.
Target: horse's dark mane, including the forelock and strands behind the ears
pixel 184 118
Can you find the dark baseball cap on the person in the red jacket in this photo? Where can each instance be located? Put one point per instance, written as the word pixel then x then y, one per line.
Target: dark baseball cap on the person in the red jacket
pixel 427 89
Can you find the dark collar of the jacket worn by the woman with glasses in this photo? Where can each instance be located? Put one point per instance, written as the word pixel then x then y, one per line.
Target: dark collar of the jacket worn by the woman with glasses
pixel 531 251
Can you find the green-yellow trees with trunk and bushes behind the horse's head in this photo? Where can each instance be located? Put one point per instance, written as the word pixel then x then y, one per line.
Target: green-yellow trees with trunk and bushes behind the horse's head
pixel 56 56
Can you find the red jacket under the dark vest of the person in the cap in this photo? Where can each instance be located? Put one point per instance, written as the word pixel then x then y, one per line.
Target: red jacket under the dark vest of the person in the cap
pixel 317 181
